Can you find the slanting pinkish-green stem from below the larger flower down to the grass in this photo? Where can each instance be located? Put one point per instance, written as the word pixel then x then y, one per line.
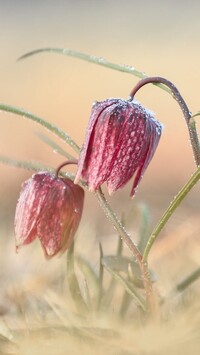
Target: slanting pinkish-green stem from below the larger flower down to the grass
pixel 134 250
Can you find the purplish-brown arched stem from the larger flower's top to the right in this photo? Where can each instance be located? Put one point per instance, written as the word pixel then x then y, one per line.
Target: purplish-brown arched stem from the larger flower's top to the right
pixel 187 114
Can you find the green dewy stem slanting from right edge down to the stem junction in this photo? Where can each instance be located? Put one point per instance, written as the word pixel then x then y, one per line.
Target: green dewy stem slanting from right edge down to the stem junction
pixel 170 210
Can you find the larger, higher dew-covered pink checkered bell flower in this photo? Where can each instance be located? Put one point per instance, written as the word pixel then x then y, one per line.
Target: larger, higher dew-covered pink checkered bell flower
pixel 120 142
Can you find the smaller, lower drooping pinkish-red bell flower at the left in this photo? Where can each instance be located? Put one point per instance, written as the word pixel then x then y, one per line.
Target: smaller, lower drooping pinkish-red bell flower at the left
pixel 49 208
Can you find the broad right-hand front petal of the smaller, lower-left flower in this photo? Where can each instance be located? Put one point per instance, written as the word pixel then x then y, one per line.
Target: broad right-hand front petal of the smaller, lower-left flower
pixel 56 226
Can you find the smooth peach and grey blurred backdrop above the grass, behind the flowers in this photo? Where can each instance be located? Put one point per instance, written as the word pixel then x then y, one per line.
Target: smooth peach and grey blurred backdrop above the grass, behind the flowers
pixel 157 37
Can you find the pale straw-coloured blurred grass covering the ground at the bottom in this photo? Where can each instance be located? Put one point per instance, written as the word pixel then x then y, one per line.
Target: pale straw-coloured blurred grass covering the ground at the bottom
pixel 38 314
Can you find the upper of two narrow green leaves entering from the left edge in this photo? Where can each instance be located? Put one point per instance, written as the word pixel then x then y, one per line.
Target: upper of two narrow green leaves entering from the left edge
pixel 52 128
